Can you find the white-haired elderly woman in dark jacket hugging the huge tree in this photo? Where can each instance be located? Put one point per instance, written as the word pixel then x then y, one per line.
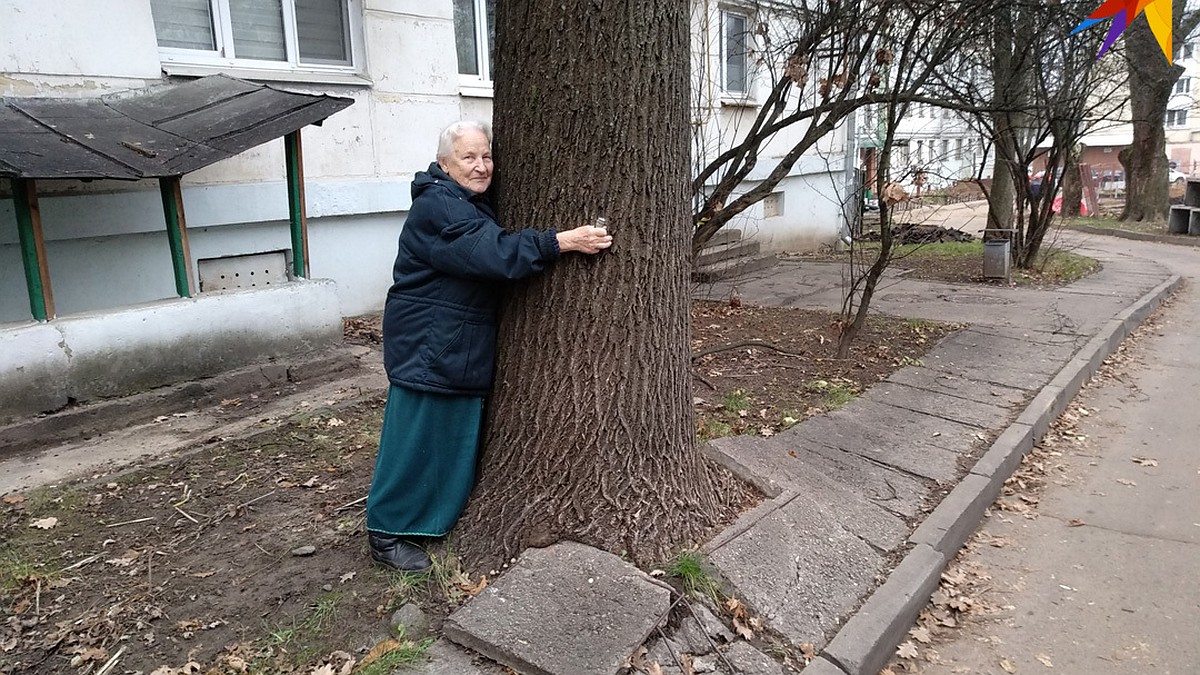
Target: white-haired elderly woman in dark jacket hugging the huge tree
pixel 440 342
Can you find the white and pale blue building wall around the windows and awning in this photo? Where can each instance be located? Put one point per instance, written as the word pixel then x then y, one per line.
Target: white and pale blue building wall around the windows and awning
pixel 121 326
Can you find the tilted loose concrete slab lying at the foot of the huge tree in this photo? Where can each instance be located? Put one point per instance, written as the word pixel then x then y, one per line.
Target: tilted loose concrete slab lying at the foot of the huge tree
pixel 567 610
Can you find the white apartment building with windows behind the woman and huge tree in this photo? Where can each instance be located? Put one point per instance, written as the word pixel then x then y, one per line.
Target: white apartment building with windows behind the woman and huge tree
pixel 409 67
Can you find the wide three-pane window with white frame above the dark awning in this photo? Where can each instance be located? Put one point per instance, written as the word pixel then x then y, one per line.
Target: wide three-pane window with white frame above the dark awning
pixel 289 35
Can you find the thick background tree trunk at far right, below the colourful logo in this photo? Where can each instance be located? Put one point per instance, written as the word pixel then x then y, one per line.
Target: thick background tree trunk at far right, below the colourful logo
pixel 1151 80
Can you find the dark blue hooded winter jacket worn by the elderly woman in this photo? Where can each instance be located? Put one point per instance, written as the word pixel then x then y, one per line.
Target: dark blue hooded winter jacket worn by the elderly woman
pixel 440 320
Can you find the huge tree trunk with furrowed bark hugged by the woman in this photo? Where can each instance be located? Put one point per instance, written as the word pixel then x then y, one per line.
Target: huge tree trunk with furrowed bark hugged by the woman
pixel 590 433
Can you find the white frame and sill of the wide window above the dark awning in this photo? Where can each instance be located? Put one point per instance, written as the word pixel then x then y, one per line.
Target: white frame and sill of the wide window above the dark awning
pixel 201 63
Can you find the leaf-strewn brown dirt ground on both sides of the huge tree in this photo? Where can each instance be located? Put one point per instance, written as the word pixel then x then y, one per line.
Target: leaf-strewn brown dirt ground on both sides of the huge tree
pixel 249 555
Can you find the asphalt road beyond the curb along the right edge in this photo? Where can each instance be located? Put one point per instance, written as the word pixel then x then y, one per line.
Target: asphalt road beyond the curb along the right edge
pixel 1119 594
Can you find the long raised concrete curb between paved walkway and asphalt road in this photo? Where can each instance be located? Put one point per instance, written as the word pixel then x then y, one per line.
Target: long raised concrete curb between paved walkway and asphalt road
pixel 869 638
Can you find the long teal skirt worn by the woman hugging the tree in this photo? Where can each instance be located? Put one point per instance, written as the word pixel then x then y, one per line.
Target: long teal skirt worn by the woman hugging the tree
pixel 427 464
